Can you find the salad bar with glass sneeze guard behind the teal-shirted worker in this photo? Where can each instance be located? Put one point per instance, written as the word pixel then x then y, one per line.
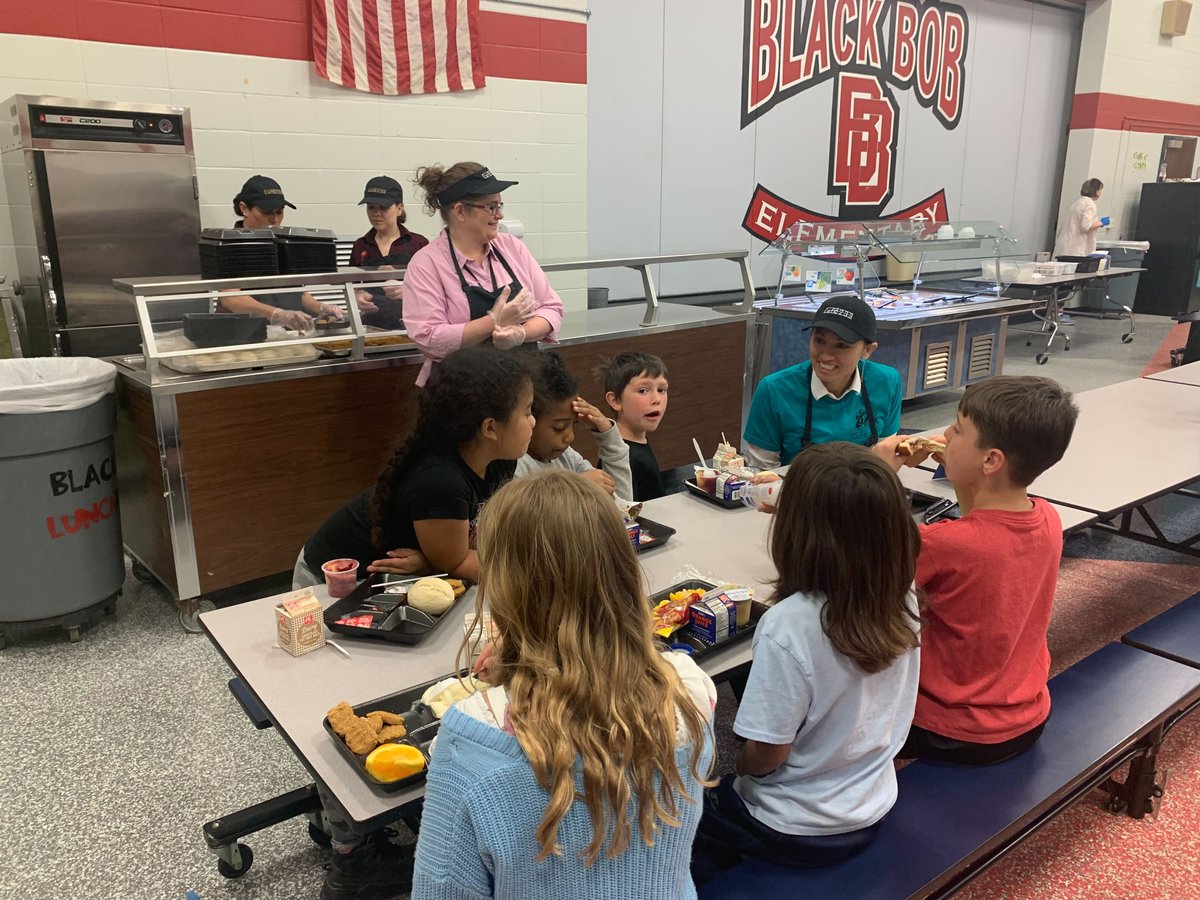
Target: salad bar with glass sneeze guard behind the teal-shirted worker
pixel 939 323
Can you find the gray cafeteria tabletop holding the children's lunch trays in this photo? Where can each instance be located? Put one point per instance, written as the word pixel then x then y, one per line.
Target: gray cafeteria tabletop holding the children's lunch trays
pixel 297 692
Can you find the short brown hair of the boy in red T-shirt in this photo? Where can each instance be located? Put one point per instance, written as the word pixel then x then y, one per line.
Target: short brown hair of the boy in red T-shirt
pixel 1029 418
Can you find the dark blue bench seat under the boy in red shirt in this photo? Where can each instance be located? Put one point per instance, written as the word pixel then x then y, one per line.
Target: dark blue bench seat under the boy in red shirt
pixel 951 821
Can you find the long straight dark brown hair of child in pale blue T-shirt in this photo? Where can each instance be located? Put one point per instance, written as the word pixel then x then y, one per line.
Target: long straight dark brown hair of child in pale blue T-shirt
pixel 844 531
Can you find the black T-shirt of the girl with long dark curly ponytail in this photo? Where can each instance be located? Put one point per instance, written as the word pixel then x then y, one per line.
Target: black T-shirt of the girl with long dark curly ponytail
pixel 437 487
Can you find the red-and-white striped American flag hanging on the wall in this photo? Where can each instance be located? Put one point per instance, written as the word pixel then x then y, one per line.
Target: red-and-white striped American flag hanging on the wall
pixel 399 46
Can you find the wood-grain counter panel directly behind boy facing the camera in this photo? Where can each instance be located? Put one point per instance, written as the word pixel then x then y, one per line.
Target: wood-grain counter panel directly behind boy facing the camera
pixel 706 370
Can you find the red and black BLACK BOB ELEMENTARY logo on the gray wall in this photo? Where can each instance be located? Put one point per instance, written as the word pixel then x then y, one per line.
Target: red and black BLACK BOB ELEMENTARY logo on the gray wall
pixel 869 49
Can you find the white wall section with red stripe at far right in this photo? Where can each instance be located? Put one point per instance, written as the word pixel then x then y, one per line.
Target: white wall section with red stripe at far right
pixel 1149 87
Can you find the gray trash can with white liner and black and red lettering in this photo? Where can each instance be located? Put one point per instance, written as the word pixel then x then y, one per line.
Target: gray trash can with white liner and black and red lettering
pixel 61 533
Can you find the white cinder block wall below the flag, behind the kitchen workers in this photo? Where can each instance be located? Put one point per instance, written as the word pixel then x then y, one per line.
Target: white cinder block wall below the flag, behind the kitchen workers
pixel 323 142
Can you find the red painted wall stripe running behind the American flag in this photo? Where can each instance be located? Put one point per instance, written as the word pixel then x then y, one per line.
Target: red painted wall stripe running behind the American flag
pixel 514 46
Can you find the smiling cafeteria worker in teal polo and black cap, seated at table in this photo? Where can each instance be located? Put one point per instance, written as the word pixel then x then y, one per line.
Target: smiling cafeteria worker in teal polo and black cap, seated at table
pixel 838 394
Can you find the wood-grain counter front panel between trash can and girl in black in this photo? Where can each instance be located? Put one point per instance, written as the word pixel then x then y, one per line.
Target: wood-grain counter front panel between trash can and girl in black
pixel 267 464
